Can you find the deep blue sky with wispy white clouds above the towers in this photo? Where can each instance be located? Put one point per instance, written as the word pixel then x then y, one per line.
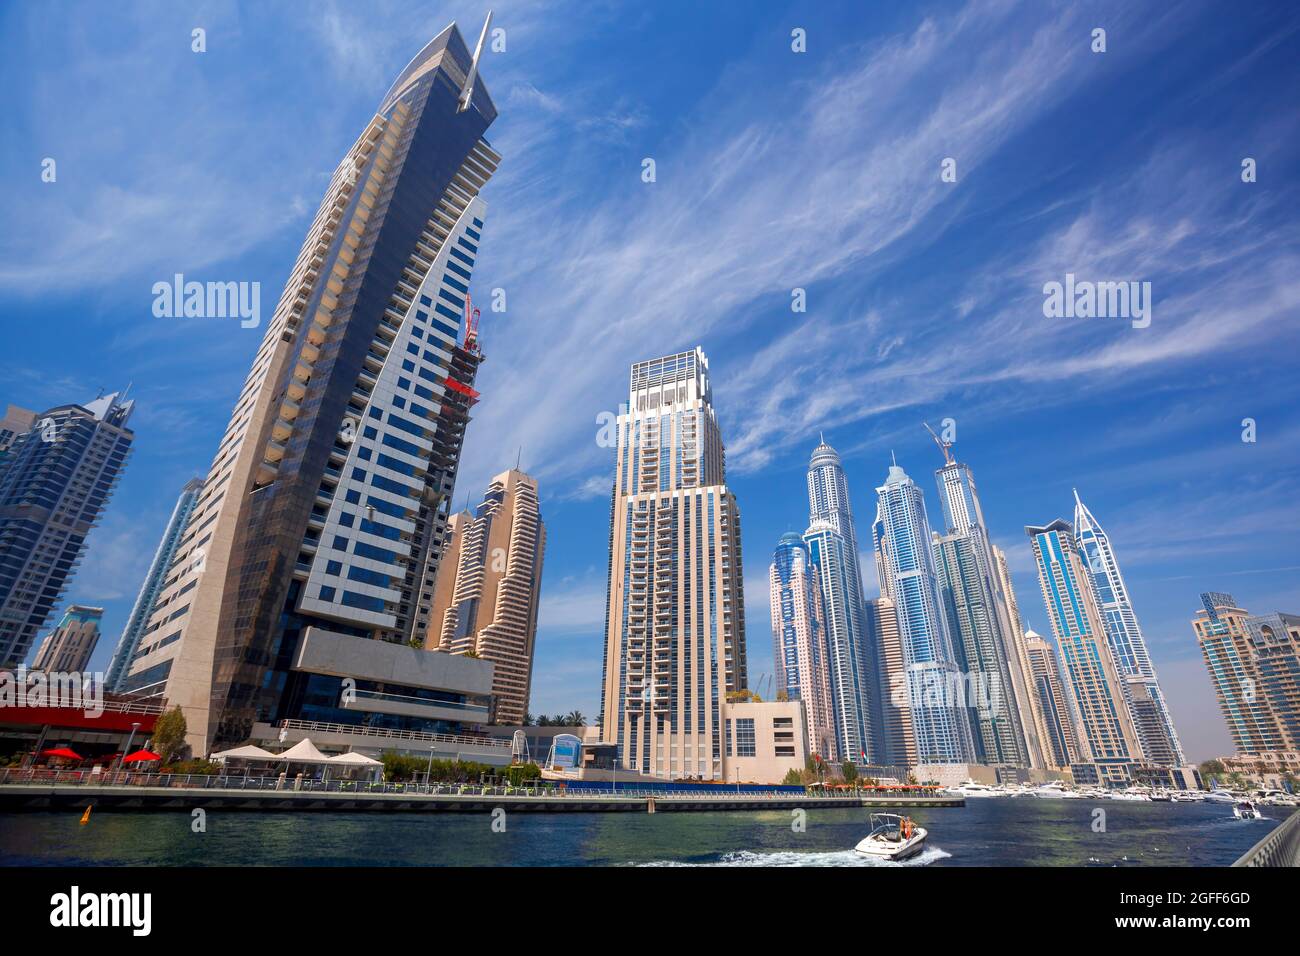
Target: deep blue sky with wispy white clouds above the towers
pixel 774 171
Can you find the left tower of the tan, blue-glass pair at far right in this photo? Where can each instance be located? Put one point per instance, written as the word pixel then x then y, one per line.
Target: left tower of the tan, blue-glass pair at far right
pixel 1229 651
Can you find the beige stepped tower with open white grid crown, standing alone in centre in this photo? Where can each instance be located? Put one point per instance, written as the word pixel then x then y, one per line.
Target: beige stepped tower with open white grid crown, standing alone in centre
pixel 675 630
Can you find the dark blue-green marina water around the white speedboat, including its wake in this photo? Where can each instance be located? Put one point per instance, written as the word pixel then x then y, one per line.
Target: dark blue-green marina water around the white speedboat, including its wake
pixel 1000 833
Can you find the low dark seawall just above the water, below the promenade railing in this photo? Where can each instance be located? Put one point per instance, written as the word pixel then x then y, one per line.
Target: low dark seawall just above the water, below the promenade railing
pixel 40 798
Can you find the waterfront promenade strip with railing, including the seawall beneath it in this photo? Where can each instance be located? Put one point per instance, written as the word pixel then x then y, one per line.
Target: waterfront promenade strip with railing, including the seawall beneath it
pixel 132 791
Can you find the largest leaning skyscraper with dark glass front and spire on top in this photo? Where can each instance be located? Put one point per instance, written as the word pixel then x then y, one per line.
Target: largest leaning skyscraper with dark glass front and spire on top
pixel 326 508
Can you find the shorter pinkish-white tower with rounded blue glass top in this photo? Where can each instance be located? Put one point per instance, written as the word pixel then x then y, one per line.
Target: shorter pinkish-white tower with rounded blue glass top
pixel 799 641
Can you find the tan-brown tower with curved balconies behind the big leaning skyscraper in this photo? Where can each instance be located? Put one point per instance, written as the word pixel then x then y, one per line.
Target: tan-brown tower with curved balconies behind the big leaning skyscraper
pixel 491 581
